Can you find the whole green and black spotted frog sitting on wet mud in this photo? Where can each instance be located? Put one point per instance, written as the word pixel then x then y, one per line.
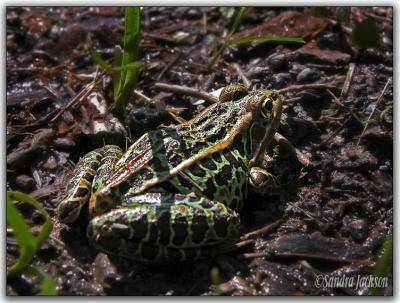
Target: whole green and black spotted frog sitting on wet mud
pixel 174 193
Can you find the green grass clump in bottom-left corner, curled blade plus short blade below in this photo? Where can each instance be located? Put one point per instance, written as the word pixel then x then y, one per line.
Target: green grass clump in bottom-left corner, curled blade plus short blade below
pixel 28 243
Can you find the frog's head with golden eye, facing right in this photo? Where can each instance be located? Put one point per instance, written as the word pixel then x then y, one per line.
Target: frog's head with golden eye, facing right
pixel 263 109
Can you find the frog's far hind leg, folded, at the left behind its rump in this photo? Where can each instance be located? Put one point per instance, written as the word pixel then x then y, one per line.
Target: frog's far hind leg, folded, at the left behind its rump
pixel 90 173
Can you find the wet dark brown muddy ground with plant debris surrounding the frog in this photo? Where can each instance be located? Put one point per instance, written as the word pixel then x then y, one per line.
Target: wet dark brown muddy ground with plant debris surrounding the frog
pixel 334 207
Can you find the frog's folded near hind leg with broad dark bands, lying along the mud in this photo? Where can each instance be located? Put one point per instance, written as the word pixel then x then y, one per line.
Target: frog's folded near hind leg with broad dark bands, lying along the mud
pixel 160 227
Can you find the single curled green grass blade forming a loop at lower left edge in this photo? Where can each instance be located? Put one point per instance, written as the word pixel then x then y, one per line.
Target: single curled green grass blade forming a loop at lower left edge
pixel 28 244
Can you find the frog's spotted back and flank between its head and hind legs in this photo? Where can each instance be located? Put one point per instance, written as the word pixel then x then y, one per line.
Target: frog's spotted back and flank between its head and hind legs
pixel 156 153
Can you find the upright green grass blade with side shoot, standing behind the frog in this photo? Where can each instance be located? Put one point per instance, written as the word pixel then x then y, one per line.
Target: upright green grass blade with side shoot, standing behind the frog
pixel 126 66
